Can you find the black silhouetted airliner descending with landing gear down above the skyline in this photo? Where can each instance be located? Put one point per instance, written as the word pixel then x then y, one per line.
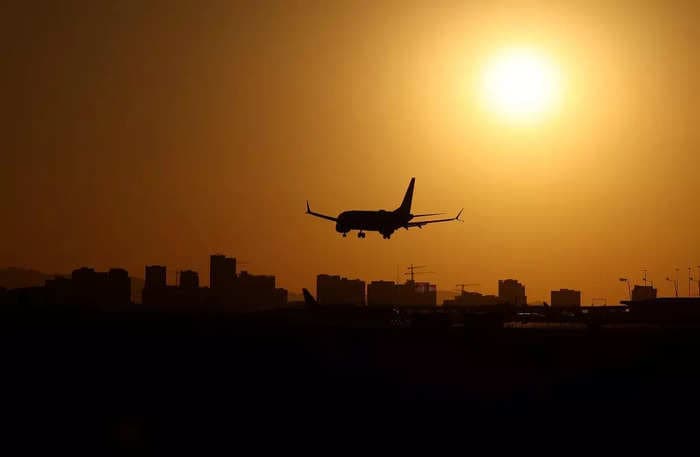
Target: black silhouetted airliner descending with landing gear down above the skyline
pixel 384 222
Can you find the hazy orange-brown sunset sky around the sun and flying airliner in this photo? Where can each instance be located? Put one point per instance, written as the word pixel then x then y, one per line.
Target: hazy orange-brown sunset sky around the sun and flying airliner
pixel 138 132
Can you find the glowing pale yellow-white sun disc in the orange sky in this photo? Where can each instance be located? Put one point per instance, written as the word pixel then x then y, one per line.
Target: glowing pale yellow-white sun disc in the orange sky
pixel 520 85
